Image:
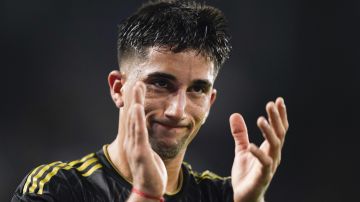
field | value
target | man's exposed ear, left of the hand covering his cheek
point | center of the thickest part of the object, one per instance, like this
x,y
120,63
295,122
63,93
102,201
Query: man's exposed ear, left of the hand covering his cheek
x,y
116,81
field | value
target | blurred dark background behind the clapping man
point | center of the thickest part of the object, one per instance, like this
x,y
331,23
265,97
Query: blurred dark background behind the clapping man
x,y
55,105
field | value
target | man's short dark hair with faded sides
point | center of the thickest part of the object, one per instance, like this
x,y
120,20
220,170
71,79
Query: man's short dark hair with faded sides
x,y
177,26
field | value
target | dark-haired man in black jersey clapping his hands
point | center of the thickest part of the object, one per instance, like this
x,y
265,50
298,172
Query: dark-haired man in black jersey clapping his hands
x,y
169,55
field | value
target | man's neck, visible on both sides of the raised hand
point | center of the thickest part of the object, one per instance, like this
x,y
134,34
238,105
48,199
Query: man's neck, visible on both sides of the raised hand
x,y
173,166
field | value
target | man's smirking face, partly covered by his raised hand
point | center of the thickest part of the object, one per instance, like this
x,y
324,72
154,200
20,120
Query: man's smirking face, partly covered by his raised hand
x,y
179,94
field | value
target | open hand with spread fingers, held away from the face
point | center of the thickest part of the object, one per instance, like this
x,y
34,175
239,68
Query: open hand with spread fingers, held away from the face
x,y
254,167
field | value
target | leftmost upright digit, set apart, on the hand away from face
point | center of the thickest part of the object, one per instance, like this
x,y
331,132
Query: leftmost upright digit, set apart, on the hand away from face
x,y
239,132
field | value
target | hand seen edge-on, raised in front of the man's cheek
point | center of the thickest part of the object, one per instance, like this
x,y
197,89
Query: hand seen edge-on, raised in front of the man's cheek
x,y
147,169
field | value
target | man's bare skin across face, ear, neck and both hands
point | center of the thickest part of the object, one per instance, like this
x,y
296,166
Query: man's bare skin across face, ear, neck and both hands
x,y
160,115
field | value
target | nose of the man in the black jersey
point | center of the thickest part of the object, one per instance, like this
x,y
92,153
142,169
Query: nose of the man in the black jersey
x,y
176,106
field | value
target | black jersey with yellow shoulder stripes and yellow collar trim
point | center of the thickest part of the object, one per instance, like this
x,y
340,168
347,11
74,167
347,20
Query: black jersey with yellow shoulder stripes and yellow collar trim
x,y
94,178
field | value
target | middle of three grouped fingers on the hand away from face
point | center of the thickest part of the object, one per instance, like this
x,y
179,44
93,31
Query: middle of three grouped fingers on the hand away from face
x,y
275,120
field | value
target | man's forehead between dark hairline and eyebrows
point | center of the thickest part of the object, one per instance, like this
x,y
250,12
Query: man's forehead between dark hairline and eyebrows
x,y
184,66
